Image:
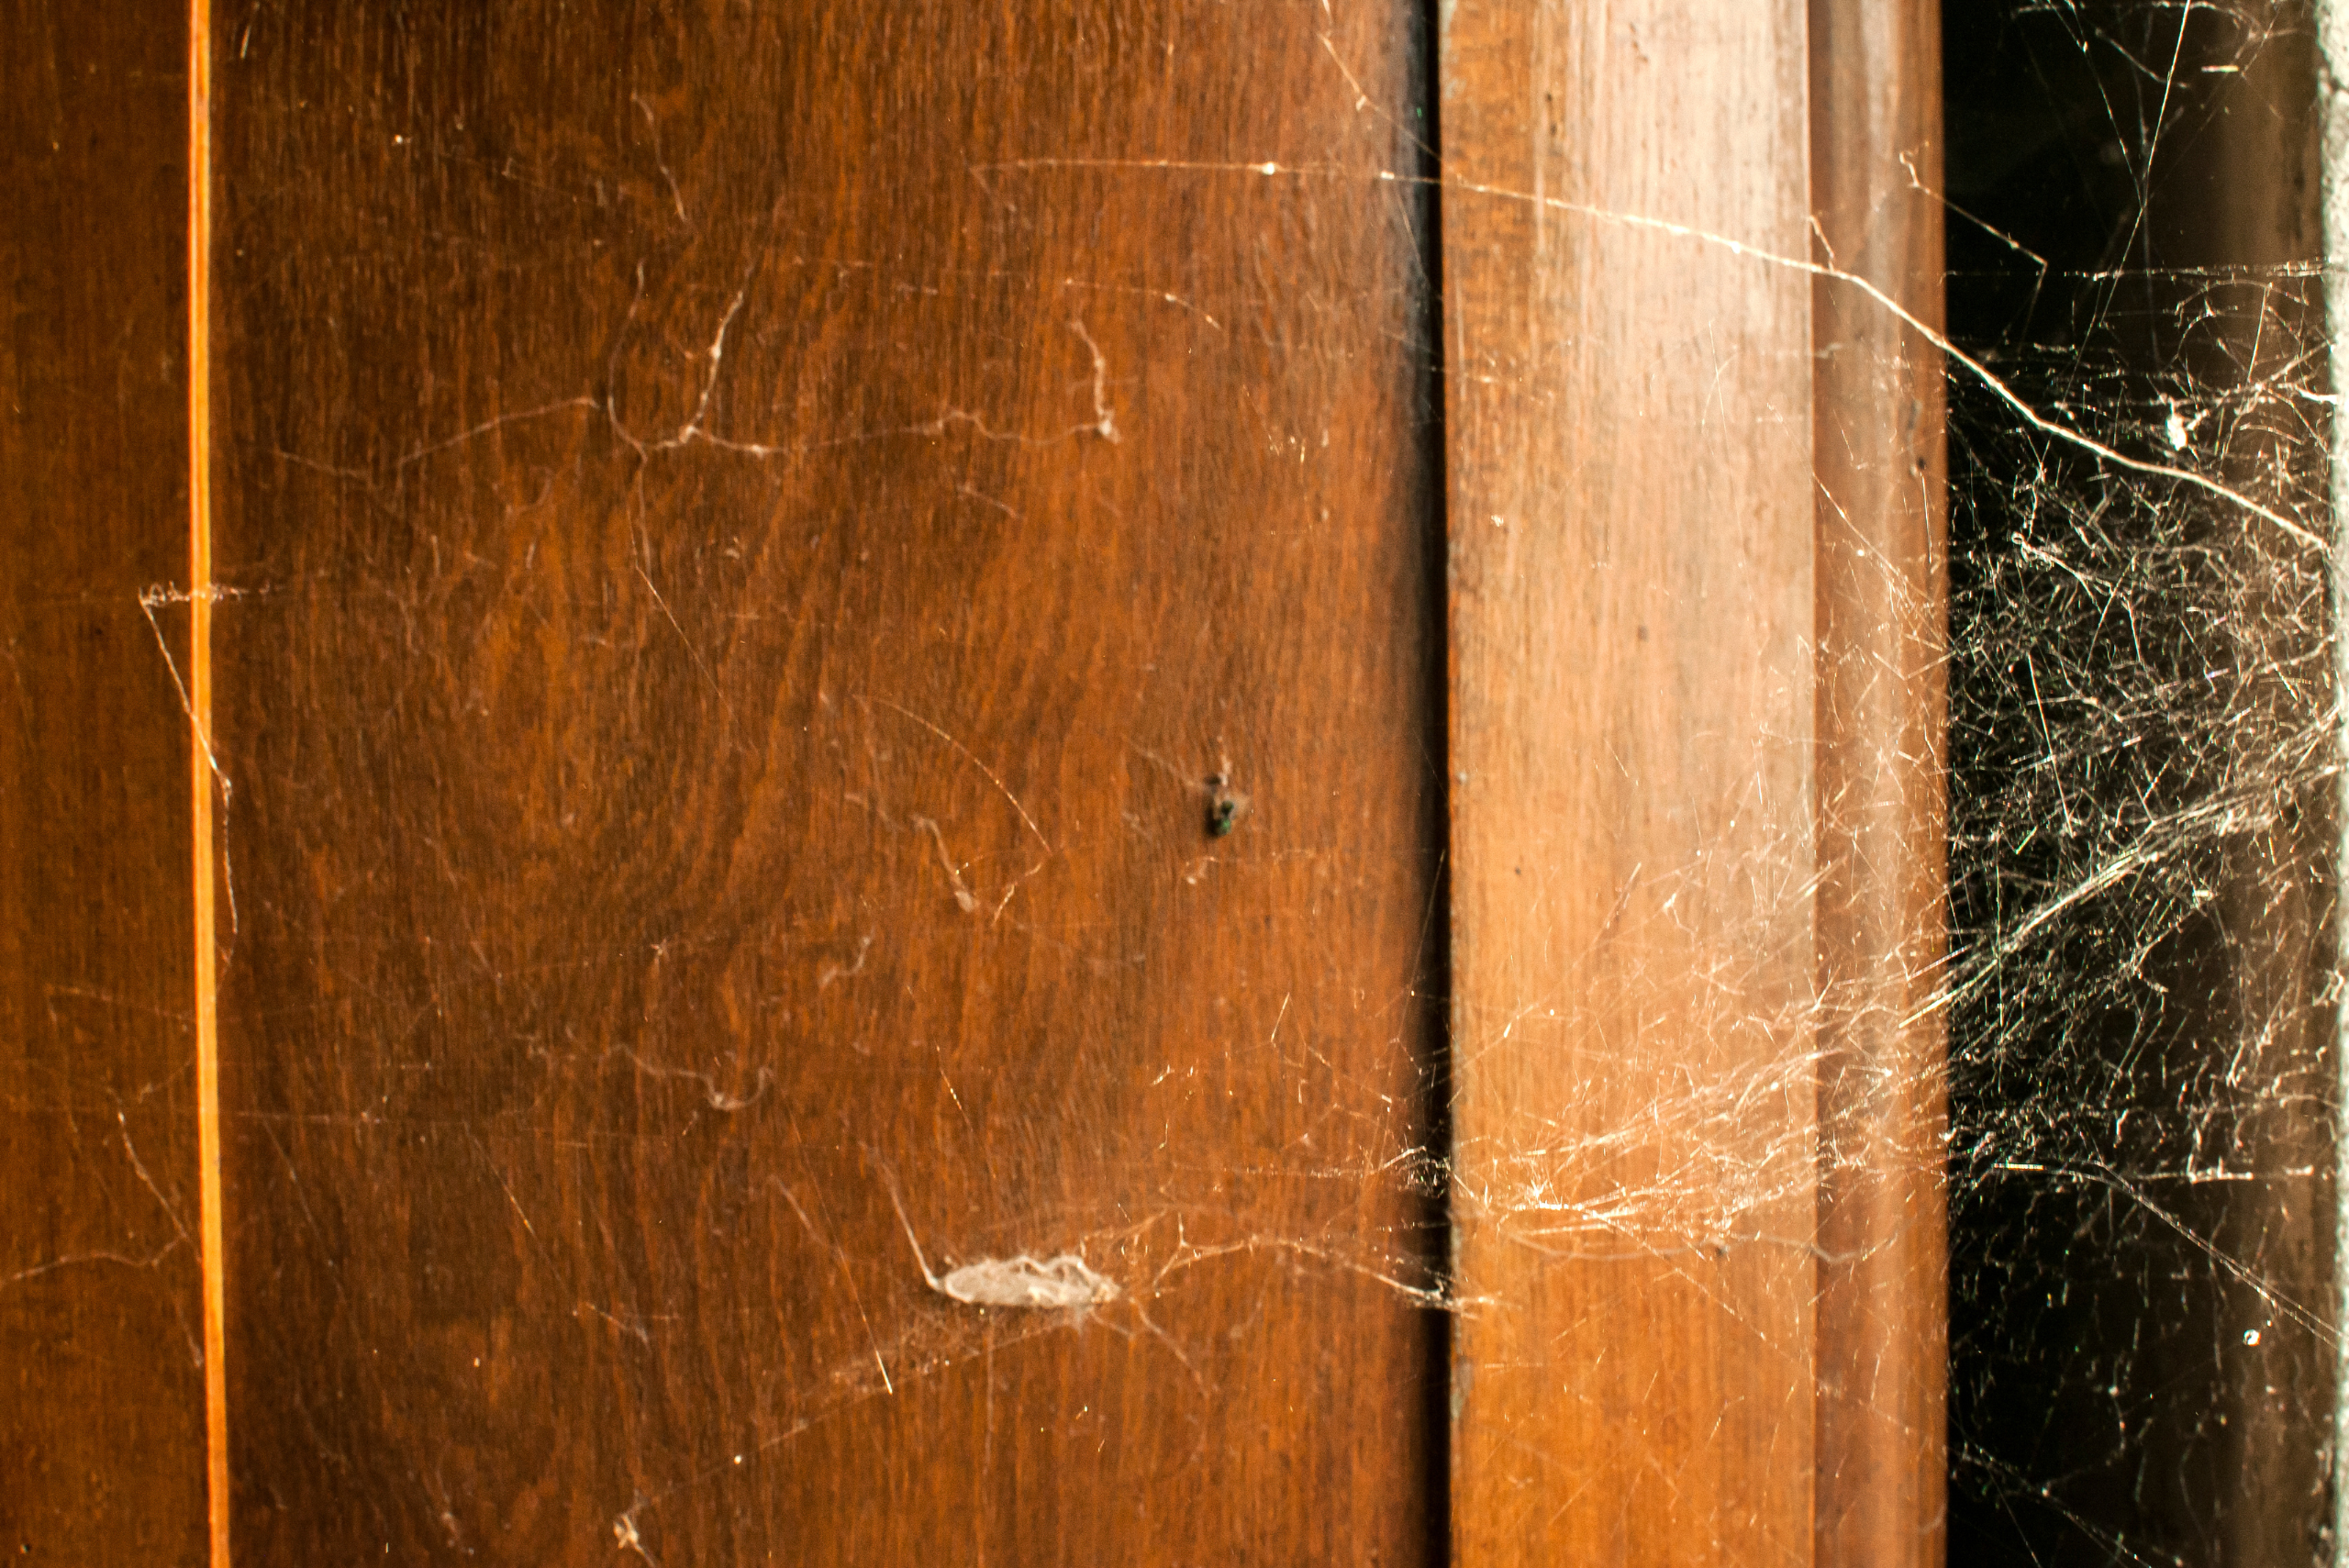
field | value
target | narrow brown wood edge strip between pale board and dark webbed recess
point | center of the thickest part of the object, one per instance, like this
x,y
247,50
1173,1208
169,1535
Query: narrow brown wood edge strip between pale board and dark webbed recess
x,y
1883,802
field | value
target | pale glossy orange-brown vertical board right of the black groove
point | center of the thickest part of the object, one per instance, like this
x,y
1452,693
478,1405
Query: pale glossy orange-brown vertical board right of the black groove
x,y
1631,536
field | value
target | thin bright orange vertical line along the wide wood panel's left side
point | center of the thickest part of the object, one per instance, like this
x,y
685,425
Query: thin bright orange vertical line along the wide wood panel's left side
x,y
201,773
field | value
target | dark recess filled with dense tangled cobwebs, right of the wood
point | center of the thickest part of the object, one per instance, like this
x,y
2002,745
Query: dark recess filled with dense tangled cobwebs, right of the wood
x,y
2146,755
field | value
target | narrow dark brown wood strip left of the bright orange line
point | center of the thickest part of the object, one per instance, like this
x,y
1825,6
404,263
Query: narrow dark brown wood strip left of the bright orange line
x,y
102,1395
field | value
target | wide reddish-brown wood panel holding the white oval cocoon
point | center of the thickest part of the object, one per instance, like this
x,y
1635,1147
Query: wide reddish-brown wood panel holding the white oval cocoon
x,y
755,553
